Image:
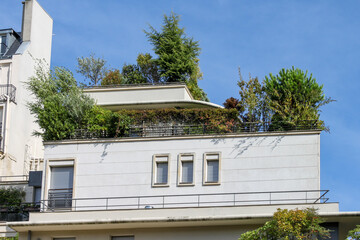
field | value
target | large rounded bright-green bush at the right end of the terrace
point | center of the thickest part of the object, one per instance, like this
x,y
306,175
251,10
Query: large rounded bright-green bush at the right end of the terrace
x,y
294,97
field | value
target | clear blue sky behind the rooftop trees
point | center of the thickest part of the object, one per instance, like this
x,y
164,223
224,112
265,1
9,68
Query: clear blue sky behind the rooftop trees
x,y
261,37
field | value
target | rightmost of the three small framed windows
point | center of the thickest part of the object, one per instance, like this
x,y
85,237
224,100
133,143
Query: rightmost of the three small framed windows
x,y
211,168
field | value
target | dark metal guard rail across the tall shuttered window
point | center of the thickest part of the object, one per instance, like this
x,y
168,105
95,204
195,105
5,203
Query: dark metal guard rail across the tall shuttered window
x,y
60,198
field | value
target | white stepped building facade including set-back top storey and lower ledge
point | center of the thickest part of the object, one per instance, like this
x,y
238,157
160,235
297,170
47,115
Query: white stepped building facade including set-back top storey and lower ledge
x,y
173,185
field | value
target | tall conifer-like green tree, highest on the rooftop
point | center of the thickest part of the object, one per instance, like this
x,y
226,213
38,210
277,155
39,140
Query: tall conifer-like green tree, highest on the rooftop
x,y
177,55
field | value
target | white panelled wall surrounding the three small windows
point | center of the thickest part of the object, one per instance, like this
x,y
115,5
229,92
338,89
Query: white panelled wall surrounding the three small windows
x,y
249,163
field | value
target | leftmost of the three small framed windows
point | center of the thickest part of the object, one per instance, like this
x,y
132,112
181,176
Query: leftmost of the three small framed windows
x,y
160,170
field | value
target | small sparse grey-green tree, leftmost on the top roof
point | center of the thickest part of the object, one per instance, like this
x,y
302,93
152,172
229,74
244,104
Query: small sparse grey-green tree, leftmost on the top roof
x,y
92,68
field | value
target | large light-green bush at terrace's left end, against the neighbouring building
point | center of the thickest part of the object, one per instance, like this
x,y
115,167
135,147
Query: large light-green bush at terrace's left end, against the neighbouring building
x,y
59,105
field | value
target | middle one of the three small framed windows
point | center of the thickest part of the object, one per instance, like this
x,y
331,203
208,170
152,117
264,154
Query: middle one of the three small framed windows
x,y
186,169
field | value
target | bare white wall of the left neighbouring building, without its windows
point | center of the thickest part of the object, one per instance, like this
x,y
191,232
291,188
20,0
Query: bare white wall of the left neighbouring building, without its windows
x,y
20,145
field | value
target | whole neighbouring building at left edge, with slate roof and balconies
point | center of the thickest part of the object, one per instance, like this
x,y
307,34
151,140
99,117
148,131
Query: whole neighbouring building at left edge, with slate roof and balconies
x,y
20,151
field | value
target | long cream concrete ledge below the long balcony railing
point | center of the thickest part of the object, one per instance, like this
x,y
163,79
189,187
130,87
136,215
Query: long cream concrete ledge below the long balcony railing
x,y
150,218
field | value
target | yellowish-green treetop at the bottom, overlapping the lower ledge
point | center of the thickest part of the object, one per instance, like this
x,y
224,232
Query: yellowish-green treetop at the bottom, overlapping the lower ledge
x,y
290,225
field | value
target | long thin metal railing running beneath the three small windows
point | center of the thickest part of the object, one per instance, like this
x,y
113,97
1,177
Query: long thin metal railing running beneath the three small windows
x,y
185,201
